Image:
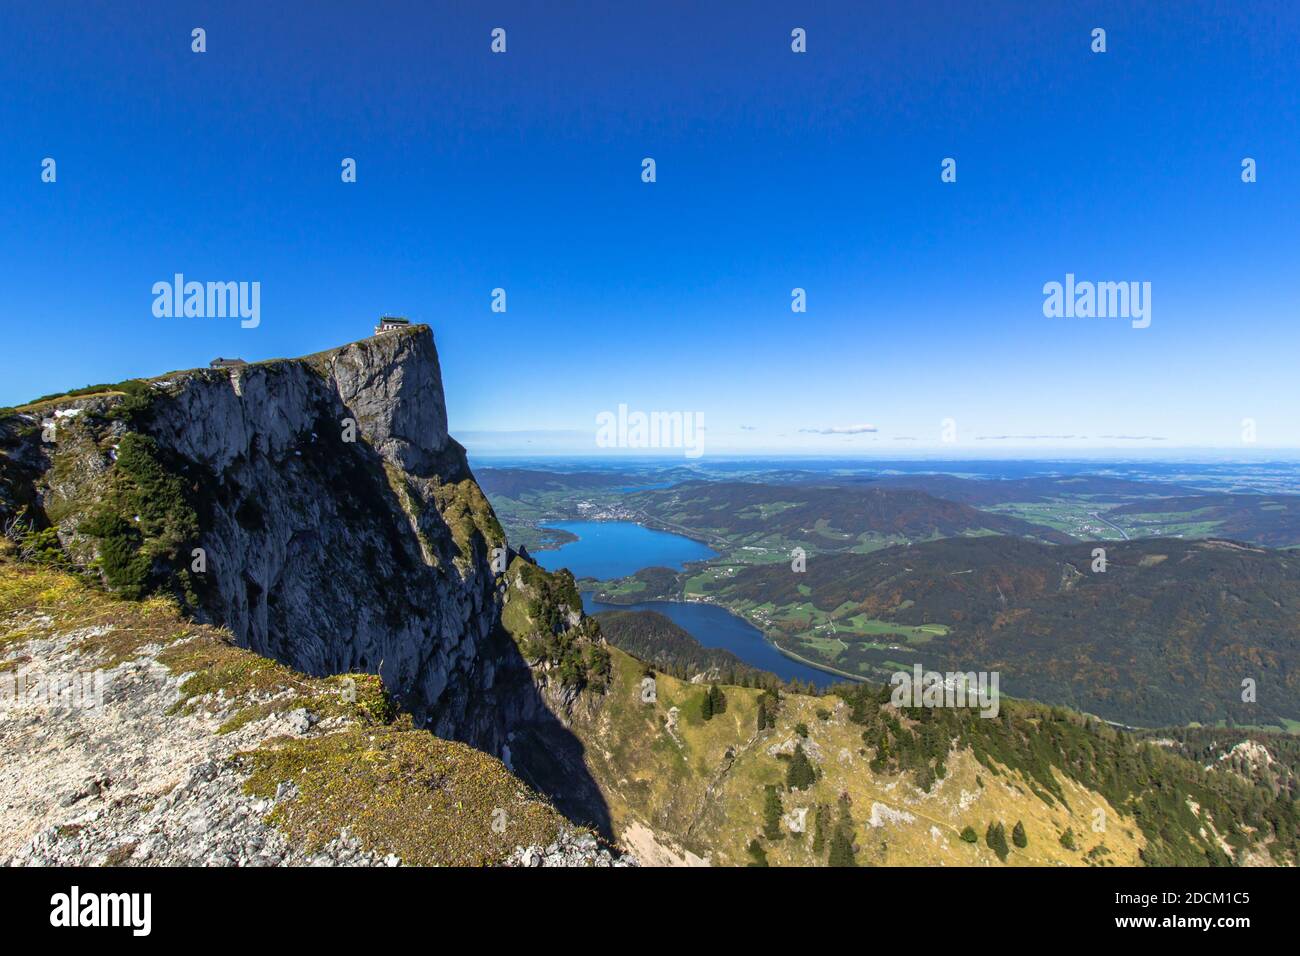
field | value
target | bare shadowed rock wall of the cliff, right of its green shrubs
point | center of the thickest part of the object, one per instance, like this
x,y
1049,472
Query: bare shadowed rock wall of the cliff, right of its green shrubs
x,y
346,530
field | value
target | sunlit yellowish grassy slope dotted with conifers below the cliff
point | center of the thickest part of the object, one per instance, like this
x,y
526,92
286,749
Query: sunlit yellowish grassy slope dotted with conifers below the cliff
x,y
692,795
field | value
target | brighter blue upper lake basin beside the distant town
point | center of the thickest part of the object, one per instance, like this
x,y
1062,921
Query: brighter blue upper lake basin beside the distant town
x,y
617,550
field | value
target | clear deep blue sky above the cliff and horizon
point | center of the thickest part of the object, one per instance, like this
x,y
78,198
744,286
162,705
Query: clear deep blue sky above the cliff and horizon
x,y
775,171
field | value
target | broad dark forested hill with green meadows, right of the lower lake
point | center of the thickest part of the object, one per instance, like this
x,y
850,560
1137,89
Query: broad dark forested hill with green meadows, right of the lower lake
x,y
1165,635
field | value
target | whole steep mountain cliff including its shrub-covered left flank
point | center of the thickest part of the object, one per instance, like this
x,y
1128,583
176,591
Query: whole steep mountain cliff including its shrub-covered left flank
x,y
318,508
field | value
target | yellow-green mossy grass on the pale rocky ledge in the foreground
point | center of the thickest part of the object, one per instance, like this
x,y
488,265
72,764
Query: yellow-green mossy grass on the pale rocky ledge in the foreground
x,y
397,789
